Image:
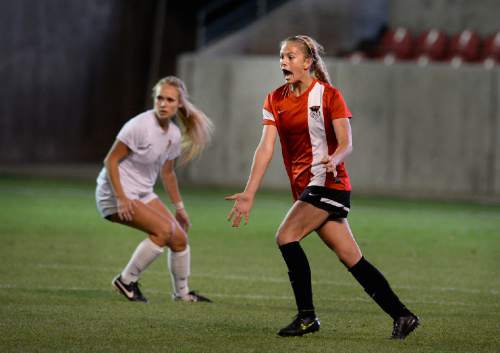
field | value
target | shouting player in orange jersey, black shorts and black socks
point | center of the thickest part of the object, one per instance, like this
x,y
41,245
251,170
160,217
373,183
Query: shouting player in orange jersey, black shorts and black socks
x,y
311,119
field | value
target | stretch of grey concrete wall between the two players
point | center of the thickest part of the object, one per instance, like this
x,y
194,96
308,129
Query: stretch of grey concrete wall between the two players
x,y
231,91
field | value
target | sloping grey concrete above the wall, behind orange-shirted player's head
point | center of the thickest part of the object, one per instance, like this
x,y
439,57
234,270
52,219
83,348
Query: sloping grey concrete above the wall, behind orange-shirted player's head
x,y
337,24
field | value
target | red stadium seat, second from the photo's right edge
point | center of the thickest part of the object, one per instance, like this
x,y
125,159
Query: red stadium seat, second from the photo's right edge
x,y
464,46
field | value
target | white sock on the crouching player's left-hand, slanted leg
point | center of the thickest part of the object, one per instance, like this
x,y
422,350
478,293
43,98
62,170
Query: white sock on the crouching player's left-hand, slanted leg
x,y
145,253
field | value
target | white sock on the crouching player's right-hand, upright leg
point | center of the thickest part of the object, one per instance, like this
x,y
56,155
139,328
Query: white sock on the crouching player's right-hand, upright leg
x,y
179,264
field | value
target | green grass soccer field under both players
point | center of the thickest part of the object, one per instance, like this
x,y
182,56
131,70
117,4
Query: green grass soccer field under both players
x,y
58,258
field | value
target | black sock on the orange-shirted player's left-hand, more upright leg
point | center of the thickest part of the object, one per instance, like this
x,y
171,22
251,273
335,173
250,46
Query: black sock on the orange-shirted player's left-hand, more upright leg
x,y
300,276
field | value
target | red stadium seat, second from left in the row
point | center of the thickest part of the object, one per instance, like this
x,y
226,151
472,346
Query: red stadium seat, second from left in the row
x,y
431,45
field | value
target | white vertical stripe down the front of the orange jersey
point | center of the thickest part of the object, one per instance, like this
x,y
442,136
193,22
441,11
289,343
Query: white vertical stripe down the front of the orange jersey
x,y
317,134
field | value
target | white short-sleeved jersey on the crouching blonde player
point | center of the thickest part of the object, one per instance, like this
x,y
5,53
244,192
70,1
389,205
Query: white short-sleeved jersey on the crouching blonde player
x,y
150,147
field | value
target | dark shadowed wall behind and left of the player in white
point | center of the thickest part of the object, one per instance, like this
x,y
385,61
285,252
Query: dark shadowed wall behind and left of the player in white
x,y
73,72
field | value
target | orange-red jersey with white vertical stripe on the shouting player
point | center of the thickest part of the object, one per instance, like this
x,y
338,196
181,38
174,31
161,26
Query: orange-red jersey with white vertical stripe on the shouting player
x,y
305,128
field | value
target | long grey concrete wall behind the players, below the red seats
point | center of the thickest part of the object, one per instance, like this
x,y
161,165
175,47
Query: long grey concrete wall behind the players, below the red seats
x,y
430,131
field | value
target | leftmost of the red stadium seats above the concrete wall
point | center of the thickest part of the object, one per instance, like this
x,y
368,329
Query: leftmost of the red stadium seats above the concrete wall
x,y
396,44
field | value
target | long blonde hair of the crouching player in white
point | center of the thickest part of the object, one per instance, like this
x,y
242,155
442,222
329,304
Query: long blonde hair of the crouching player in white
x,y
196,127
